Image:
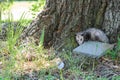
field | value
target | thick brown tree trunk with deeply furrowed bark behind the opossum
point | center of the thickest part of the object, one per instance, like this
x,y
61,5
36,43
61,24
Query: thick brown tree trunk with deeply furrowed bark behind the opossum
x,y
63,18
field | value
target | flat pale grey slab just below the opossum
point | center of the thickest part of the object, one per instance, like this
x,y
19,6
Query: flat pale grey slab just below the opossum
x,y
93,49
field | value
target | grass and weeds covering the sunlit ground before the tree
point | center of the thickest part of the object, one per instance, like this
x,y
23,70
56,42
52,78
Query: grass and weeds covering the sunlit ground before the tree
x,y
27,60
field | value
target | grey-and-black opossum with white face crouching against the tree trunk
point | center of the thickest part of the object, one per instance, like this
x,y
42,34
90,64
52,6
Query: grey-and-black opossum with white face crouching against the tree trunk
x,y
91,34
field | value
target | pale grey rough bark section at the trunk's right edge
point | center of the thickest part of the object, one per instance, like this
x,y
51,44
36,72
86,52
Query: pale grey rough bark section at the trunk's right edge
x,y
111,23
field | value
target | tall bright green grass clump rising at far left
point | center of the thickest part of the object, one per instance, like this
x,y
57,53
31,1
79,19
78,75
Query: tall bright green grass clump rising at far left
x,y
13,33
